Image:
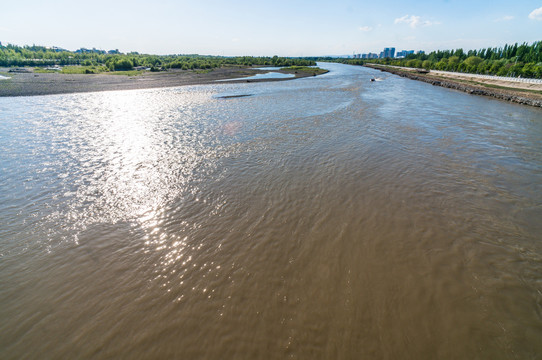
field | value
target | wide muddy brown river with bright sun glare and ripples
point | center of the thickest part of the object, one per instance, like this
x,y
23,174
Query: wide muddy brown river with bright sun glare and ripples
x,y
328,217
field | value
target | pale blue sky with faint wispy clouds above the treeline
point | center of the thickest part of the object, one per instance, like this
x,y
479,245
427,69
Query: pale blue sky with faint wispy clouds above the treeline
x,y
286,28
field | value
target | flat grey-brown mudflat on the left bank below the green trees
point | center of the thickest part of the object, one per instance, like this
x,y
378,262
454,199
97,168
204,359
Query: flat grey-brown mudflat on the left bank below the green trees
x,y
31,84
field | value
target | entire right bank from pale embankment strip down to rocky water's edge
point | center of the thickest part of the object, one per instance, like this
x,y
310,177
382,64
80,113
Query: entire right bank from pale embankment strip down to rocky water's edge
x,y
508,91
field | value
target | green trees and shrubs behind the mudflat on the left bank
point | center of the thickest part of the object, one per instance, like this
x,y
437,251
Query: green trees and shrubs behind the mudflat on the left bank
x,y
97,61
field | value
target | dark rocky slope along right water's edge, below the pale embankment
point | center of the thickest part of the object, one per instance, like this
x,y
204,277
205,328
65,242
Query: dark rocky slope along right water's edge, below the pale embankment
x,y
501,94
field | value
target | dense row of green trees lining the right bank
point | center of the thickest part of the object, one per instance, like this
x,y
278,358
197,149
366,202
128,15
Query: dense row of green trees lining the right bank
x,y
515,60
